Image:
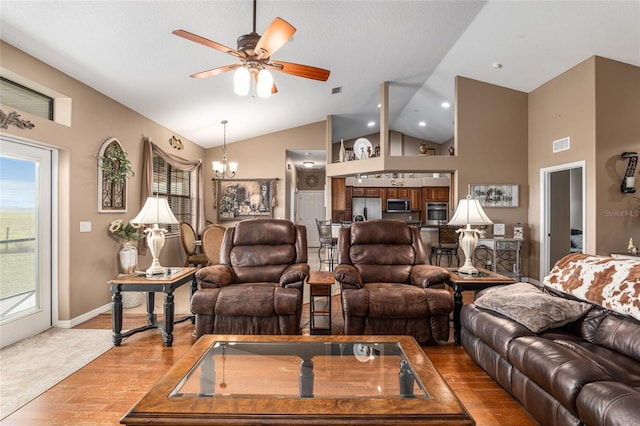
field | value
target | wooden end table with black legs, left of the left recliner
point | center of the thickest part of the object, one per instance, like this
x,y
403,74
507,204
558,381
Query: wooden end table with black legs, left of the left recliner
x,y
158,283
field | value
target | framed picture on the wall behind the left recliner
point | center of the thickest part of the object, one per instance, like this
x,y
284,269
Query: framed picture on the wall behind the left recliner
x,y
238,199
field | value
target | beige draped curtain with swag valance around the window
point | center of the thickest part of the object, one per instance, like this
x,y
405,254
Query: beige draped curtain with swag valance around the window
x,y
178,163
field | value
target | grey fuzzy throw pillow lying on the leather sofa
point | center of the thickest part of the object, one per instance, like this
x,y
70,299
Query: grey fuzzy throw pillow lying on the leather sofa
x,y
531,307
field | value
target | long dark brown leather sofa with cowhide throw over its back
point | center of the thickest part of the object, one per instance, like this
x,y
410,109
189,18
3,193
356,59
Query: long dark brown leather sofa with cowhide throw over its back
x,y
584,372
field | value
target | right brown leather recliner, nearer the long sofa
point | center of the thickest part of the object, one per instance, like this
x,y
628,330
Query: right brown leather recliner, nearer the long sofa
x,y
387,289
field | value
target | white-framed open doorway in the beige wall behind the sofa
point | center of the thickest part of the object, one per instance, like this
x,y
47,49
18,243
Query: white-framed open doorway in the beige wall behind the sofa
x,y
562,213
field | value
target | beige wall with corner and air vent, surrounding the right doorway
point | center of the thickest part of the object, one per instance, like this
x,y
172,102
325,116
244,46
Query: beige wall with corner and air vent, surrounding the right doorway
x,y
597,104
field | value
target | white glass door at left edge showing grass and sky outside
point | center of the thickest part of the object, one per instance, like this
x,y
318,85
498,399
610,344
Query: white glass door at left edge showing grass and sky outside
x,y
25,240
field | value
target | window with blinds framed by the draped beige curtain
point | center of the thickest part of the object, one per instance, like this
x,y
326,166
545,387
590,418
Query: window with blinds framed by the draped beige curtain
x,y
175,185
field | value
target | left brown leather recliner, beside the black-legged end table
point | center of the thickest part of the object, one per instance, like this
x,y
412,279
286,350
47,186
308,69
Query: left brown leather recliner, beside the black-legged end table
x,y
258,287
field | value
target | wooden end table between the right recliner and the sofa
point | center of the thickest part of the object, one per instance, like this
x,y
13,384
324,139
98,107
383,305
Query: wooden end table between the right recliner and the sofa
x,y
462,282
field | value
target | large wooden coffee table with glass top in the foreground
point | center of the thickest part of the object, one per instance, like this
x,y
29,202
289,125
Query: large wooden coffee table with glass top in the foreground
x,y
293,380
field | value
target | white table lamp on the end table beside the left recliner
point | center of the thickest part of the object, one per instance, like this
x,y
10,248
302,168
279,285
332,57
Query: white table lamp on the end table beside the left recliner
x,y
156,210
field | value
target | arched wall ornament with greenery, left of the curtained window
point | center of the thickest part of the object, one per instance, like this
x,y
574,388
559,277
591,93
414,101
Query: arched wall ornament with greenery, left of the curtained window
x,y
114,169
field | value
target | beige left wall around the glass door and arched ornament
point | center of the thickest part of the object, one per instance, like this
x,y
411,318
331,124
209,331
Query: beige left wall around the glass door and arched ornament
x,y
89,260
